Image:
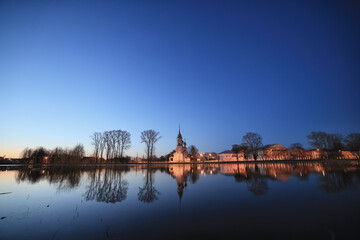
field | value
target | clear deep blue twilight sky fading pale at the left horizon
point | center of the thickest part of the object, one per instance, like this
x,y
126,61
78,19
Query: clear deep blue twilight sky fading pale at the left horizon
x,y
219,68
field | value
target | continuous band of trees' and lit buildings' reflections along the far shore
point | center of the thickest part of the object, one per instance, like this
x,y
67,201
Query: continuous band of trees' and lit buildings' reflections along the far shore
x,y
108,184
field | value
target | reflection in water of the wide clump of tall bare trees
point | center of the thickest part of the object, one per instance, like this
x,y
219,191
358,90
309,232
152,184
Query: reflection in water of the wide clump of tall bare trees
x,y
107,186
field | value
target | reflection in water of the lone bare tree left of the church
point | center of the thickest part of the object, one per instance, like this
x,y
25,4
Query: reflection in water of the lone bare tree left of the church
x,y
148,193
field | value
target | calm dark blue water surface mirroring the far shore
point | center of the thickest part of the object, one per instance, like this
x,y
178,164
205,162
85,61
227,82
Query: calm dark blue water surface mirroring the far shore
x,y
213,201
